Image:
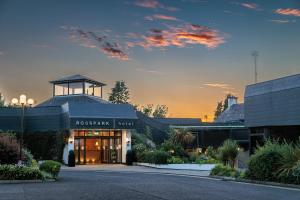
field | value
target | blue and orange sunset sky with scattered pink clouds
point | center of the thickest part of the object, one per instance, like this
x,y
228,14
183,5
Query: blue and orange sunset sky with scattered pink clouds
x,y
186,54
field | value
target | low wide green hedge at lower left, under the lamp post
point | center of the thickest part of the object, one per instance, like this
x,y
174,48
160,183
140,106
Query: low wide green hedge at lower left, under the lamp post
x,y
15,172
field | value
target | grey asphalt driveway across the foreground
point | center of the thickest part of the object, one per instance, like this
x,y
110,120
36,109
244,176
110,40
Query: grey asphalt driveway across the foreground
x,y
129,183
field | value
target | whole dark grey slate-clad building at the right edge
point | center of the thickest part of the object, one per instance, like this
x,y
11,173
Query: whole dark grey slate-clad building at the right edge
x,y
272,109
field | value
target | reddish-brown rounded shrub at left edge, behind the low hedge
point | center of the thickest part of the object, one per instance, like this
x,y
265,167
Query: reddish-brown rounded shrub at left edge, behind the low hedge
x,y
9,149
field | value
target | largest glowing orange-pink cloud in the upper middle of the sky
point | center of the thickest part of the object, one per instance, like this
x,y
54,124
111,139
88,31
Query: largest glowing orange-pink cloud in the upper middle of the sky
x,y
183,36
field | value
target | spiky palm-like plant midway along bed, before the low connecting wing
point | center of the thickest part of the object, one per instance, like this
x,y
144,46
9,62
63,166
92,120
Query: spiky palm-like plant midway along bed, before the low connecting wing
x,y
182,136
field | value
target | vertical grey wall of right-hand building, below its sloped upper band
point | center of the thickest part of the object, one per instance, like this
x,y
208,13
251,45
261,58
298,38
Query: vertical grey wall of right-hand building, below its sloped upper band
x,y
275,108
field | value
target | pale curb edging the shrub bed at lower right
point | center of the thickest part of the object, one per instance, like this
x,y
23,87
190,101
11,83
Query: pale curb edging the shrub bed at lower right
x,y
223,178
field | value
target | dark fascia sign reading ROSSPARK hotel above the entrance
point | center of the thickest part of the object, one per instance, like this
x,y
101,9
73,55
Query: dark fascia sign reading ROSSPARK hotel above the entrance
x,y
94,123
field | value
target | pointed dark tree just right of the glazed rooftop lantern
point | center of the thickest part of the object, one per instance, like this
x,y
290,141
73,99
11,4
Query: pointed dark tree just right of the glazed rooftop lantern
x,y
120,93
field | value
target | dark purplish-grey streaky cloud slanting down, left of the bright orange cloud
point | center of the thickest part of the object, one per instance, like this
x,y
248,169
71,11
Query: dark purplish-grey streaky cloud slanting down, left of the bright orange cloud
x,y
90,39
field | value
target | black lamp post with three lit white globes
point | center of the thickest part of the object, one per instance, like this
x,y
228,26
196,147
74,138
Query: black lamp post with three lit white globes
x,y
23,102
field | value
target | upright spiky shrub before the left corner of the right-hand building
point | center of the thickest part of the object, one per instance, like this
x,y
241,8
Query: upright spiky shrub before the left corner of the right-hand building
x,y
228,152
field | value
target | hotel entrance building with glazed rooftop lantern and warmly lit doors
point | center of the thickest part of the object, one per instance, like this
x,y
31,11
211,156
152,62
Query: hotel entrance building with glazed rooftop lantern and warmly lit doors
x,y
99,131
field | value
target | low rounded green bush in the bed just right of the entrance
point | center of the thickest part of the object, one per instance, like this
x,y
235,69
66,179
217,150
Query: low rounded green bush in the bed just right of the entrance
x,y
156,157
